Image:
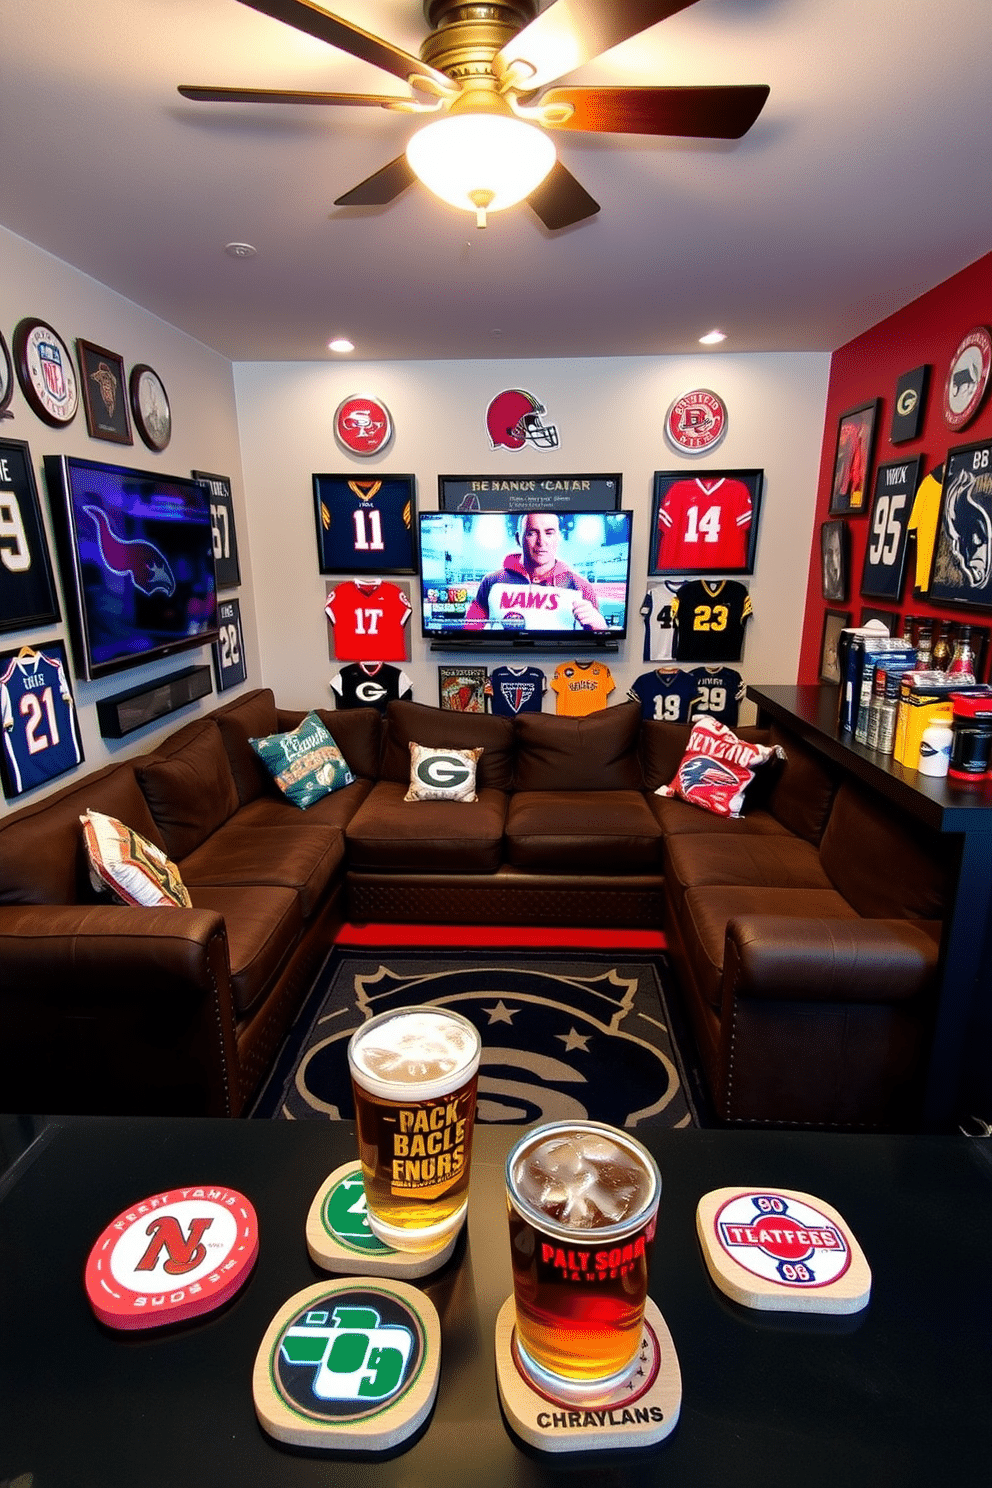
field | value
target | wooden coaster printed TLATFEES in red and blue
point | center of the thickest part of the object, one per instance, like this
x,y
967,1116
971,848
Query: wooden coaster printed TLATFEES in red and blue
x,y
782,1252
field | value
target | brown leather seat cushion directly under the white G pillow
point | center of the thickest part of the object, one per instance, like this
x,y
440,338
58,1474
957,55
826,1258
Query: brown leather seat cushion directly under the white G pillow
x,y
442,837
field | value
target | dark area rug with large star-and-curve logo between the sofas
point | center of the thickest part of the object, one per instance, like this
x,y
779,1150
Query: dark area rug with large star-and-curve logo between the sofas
x,y
585,1036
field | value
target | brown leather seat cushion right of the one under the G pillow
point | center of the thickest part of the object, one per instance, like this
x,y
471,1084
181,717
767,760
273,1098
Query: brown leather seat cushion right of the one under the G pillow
x,y
582,833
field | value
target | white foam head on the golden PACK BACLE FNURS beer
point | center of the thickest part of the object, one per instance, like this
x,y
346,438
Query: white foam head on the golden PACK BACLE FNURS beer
x,y
425,1051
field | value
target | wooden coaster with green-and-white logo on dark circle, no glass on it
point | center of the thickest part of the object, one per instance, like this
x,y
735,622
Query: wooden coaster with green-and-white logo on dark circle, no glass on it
x,y
349,1365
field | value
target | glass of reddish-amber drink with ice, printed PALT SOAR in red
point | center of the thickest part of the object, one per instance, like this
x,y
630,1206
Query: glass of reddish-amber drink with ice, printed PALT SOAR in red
x,y
584,1206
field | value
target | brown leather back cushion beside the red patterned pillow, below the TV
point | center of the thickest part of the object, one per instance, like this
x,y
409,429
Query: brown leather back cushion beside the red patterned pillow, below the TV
x,y
599,752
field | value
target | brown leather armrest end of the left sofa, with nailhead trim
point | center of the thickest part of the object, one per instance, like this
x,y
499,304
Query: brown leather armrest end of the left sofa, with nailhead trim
x,y
114,1010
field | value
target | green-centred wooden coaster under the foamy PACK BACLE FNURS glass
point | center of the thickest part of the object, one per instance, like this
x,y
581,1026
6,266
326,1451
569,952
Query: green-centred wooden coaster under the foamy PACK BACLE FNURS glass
x,y
340,1239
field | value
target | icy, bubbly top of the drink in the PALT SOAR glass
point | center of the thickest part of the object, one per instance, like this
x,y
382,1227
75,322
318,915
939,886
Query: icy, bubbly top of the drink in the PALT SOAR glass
x,y
581,1176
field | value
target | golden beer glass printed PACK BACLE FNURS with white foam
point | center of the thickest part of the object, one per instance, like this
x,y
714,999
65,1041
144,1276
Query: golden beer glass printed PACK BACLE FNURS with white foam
x,y
414,1078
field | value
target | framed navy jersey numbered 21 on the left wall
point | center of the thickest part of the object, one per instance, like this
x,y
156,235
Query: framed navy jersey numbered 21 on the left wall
x,y
41,737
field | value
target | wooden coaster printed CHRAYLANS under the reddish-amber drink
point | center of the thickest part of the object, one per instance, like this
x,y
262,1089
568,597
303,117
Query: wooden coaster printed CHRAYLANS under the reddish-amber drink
x,y
637,1414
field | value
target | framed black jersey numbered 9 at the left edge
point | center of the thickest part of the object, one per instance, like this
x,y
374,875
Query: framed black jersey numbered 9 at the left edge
x,y
28,589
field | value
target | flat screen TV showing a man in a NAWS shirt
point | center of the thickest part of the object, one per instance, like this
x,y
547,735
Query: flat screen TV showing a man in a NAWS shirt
x,y
526,578
